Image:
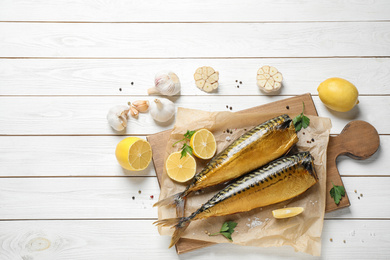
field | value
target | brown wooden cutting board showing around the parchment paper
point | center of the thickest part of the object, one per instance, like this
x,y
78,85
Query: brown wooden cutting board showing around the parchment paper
x,y
346,143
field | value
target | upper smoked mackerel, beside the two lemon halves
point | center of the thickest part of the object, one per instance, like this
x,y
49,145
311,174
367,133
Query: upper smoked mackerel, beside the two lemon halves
x,y
258,146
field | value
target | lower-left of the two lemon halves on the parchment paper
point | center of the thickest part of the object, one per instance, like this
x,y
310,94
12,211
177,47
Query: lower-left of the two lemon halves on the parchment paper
x,y
180,169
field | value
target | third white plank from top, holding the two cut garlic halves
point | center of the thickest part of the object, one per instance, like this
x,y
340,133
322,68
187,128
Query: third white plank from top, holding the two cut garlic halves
x,y
107,76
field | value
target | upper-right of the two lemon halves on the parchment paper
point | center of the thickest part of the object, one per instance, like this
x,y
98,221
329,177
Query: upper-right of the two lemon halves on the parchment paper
x,y
203,144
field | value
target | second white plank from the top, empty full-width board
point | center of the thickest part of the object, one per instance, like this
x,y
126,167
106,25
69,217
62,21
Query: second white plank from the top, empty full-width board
x,y
173,40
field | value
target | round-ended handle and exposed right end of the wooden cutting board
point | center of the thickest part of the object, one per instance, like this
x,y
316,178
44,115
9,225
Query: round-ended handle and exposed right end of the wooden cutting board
x,y
358,140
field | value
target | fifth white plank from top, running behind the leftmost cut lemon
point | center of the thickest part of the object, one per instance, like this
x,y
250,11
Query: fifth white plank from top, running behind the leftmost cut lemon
x,y
94,156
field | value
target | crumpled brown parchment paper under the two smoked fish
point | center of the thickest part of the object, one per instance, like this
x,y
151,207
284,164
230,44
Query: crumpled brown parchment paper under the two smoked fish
x,y
256,227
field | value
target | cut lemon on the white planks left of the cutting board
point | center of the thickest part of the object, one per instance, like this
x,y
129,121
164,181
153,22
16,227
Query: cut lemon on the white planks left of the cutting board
x,y
133,153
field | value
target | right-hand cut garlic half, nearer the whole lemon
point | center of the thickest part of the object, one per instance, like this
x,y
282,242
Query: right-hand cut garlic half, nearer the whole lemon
x,y
269,79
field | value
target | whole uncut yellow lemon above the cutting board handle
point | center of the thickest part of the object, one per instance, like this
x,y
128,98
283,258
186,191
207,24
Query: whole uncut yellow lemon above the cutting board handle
x,y
338,94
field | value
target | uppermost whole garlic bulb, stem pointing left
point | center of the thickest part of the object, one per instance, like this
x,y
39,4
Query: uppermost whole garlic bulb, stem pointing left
x,y
166,83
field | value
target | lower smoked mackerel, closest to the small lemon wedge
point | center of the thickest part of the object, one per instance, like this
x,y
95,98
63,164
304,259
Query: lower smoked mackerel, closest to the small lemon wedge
x,y
275,182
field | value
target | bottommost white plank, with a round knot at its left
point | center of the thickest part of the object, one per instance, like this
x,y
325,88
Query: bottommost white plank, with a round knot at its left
x,y
89,239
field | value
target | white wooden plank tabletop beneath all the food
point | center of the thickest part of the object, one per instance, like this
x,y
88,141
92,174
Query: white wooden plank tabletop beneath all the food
x,y
63,63
